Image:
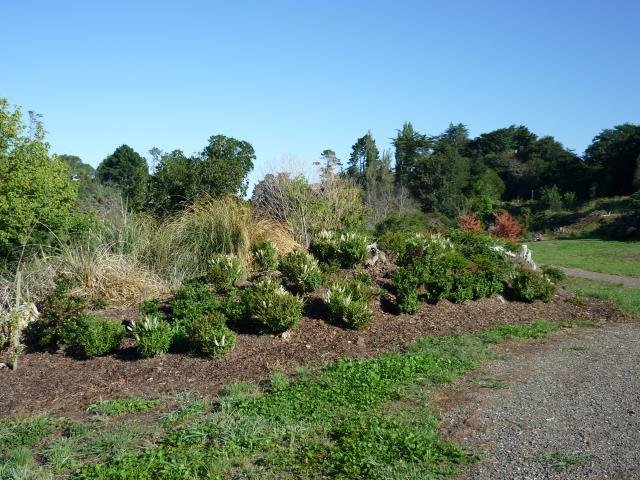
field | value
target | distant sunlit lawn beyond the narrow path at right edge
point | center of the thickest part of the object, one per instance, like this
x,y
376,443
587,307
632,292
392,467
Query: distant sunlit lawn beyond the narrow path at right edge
x,y
622,258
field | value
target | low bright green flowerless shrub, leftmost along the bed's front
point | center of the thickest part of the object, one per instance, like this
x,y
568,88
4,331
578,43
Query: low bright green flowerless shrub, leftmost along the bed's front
x,y
98,336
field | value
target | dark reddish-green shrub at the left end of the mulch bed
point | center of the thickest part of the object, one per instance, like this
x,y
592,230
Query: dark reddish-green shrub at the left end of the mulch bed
x,y
58,307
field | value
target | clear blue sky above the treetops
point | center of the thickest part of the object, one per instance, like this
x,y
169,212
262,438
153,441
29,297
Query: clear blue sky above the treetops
x,y
296,77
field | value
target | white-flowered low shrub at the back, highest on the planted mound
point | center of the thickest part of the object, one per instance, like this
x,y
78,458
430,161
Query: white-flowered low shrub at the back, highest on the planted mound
x,y
347,250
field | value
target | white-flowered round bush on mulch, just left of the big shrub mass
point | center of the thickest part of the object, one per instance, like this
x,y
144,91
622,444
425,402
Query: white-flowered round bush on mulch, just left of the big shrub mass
x,y
348,303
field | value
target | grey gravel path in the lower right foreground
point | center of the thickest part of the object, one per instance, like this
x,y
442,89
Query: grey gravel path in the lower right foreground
x,y
565,407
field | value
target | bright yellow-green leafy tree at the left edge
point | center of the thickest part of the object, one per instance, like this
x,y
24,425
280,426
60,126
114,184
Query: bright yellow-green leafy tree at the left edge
x,y
36,191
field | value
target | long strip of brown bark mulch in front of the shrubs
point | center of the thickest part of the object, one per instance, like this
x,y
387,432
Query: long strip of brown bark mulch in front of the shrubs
x,y
64,385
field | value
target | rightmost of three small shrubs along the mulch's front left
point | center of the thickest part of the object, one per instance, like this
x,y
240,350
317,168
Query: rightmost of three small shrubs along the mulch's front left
x,y
210,336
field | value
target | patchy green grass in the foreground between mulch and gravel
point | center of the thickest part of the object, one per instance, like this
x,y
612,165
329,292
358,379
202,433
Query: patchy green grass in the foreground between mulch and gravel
x,y
355,419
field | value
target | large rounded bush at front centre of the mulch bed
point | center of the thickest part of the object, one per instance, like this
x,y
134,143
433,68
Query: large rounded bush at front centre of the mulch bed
x,y
273,308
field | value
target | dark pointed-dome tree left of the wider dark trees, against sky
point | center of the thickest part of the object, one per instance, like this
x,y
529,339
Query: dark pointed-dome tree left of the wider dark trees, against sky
x,y
127,170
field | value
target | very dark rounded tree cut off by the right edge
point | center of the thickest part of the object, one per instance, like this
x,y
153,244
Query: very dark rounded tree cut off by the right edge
x,y
614,158
